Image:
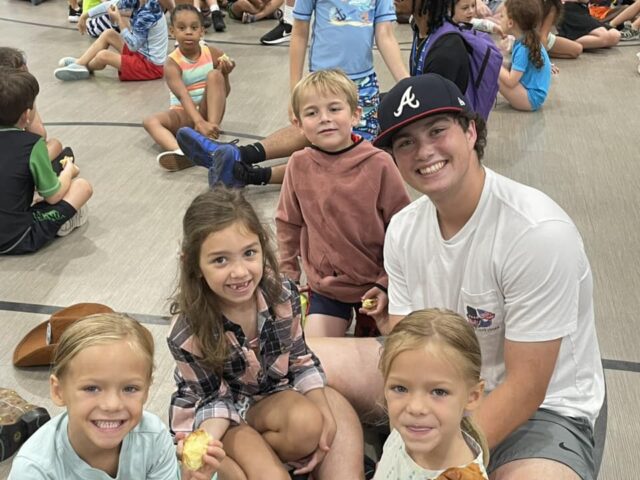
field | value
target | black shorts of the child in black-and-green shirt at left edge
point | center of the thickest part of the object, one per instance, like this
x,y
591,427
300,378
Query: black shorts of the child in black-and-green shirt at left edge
x,y
46,220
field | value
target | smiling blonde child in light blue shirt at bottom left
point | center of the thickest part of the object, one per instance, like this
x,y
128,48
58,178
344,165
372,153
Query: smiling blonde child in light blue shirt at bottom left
x,y
102,372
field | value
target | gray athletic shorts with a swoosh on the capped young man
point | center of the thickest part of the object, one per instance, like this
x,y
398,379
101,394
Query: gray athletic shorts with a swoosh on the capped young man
x,y
552,436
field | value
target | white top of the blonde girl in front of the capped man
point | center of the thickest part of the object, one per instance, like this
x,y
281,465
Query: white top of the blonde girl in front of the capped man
x,y
396,464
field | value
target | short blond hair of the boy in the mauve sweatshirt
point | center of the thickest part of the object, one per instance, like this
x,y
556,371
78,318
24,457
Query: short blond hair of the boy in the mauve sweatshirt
x,y
325,81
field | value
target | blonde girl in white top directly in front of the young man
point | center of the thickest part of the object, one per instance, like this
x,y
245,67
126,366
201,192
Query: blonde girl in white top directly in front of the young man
x,y
431,369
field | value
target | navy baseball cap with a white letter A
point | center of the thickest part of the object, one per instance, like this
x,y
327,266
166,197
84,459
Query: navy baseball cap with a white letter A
x,y
414,98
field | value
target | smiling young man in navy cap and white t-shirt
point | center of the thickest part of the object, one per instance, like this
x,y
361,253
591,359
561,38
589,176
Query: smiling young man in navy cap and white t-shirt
x,y
509,259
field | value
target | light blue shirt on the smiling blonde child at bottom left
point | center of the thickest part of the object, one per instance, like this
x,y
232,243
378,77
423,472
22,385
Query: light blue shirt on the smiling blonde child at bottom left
x,y
147,453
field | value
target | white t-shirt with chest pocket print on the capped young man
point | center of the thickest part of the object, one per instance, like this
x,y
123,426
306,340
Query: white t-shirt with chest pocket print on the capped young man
x,y
516,270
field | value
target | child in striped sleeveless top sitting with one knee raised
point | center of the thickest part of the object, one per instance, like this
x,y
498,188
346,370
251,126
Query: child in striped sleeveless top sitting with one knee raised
x,y
198,77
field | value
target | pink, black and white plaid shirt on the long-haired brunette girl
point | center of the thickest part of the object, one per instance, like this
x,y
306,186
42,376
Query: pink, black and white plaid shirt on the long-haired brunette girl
x,y
284,362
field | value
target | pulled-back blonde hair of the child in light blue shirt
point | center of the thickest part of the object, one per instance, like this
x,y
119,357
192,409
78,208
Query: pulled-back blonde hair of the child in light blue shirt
x,y
101,329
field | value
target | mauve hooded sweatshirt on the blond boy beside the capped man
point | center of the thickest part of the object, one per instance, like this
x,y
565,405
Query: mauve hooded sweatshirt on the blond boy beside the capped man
x,y
333,212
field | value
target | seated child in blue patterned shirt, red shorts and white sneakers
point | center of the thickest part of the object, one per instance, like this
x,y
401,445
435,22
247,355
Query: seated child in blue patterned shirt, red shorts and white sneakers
x,y
141,44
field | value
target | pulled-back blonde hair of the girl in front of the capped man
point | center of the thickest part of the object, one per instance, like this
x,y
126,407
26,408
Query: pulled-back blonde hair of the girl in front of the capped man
x,y
445,328
